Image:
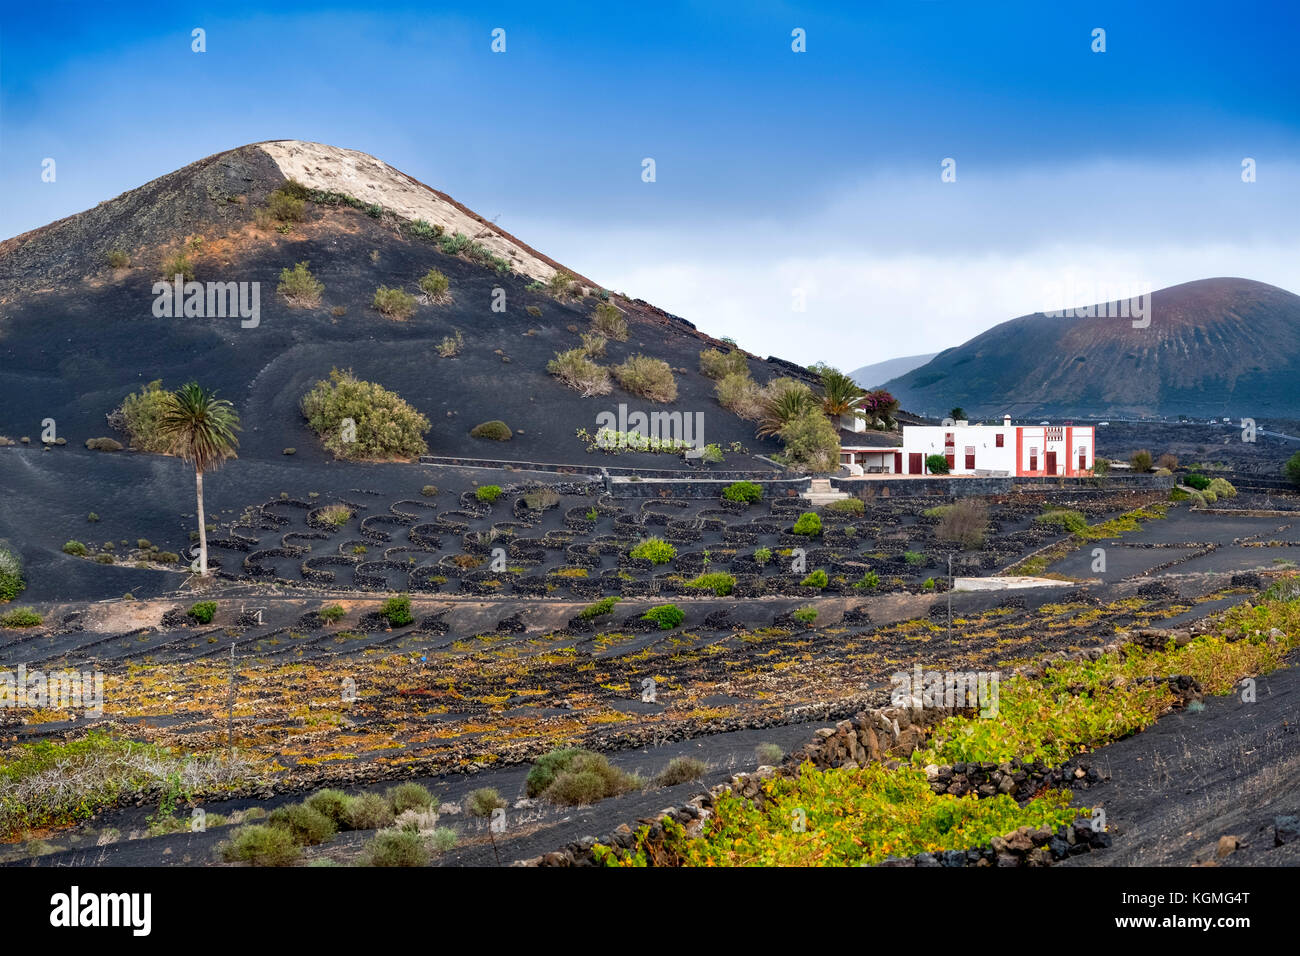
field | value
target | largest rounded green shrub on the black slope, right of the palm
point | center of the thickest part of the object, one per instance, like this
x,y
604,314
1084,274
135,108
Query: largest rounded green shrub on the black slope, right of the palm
x,y
385,426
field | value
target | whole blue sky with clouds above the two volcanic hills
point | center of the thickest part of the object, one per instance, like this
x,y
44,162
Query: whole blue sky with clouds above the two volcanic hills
x,y
782,178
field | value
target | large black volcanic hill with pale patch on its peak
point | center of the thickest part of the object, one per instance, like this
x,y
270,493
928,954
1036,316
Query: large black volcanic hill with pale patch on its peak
x,y
77,335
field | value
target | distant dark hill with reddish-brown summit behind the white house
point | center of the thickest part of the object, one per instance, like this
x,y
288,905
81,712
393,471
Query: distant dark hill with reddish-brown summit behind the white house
x,y
1224,347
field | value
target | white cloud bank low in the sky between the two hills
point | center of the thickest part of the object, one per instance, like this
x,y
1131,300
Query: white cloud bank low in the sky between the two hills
x,y
896,269
